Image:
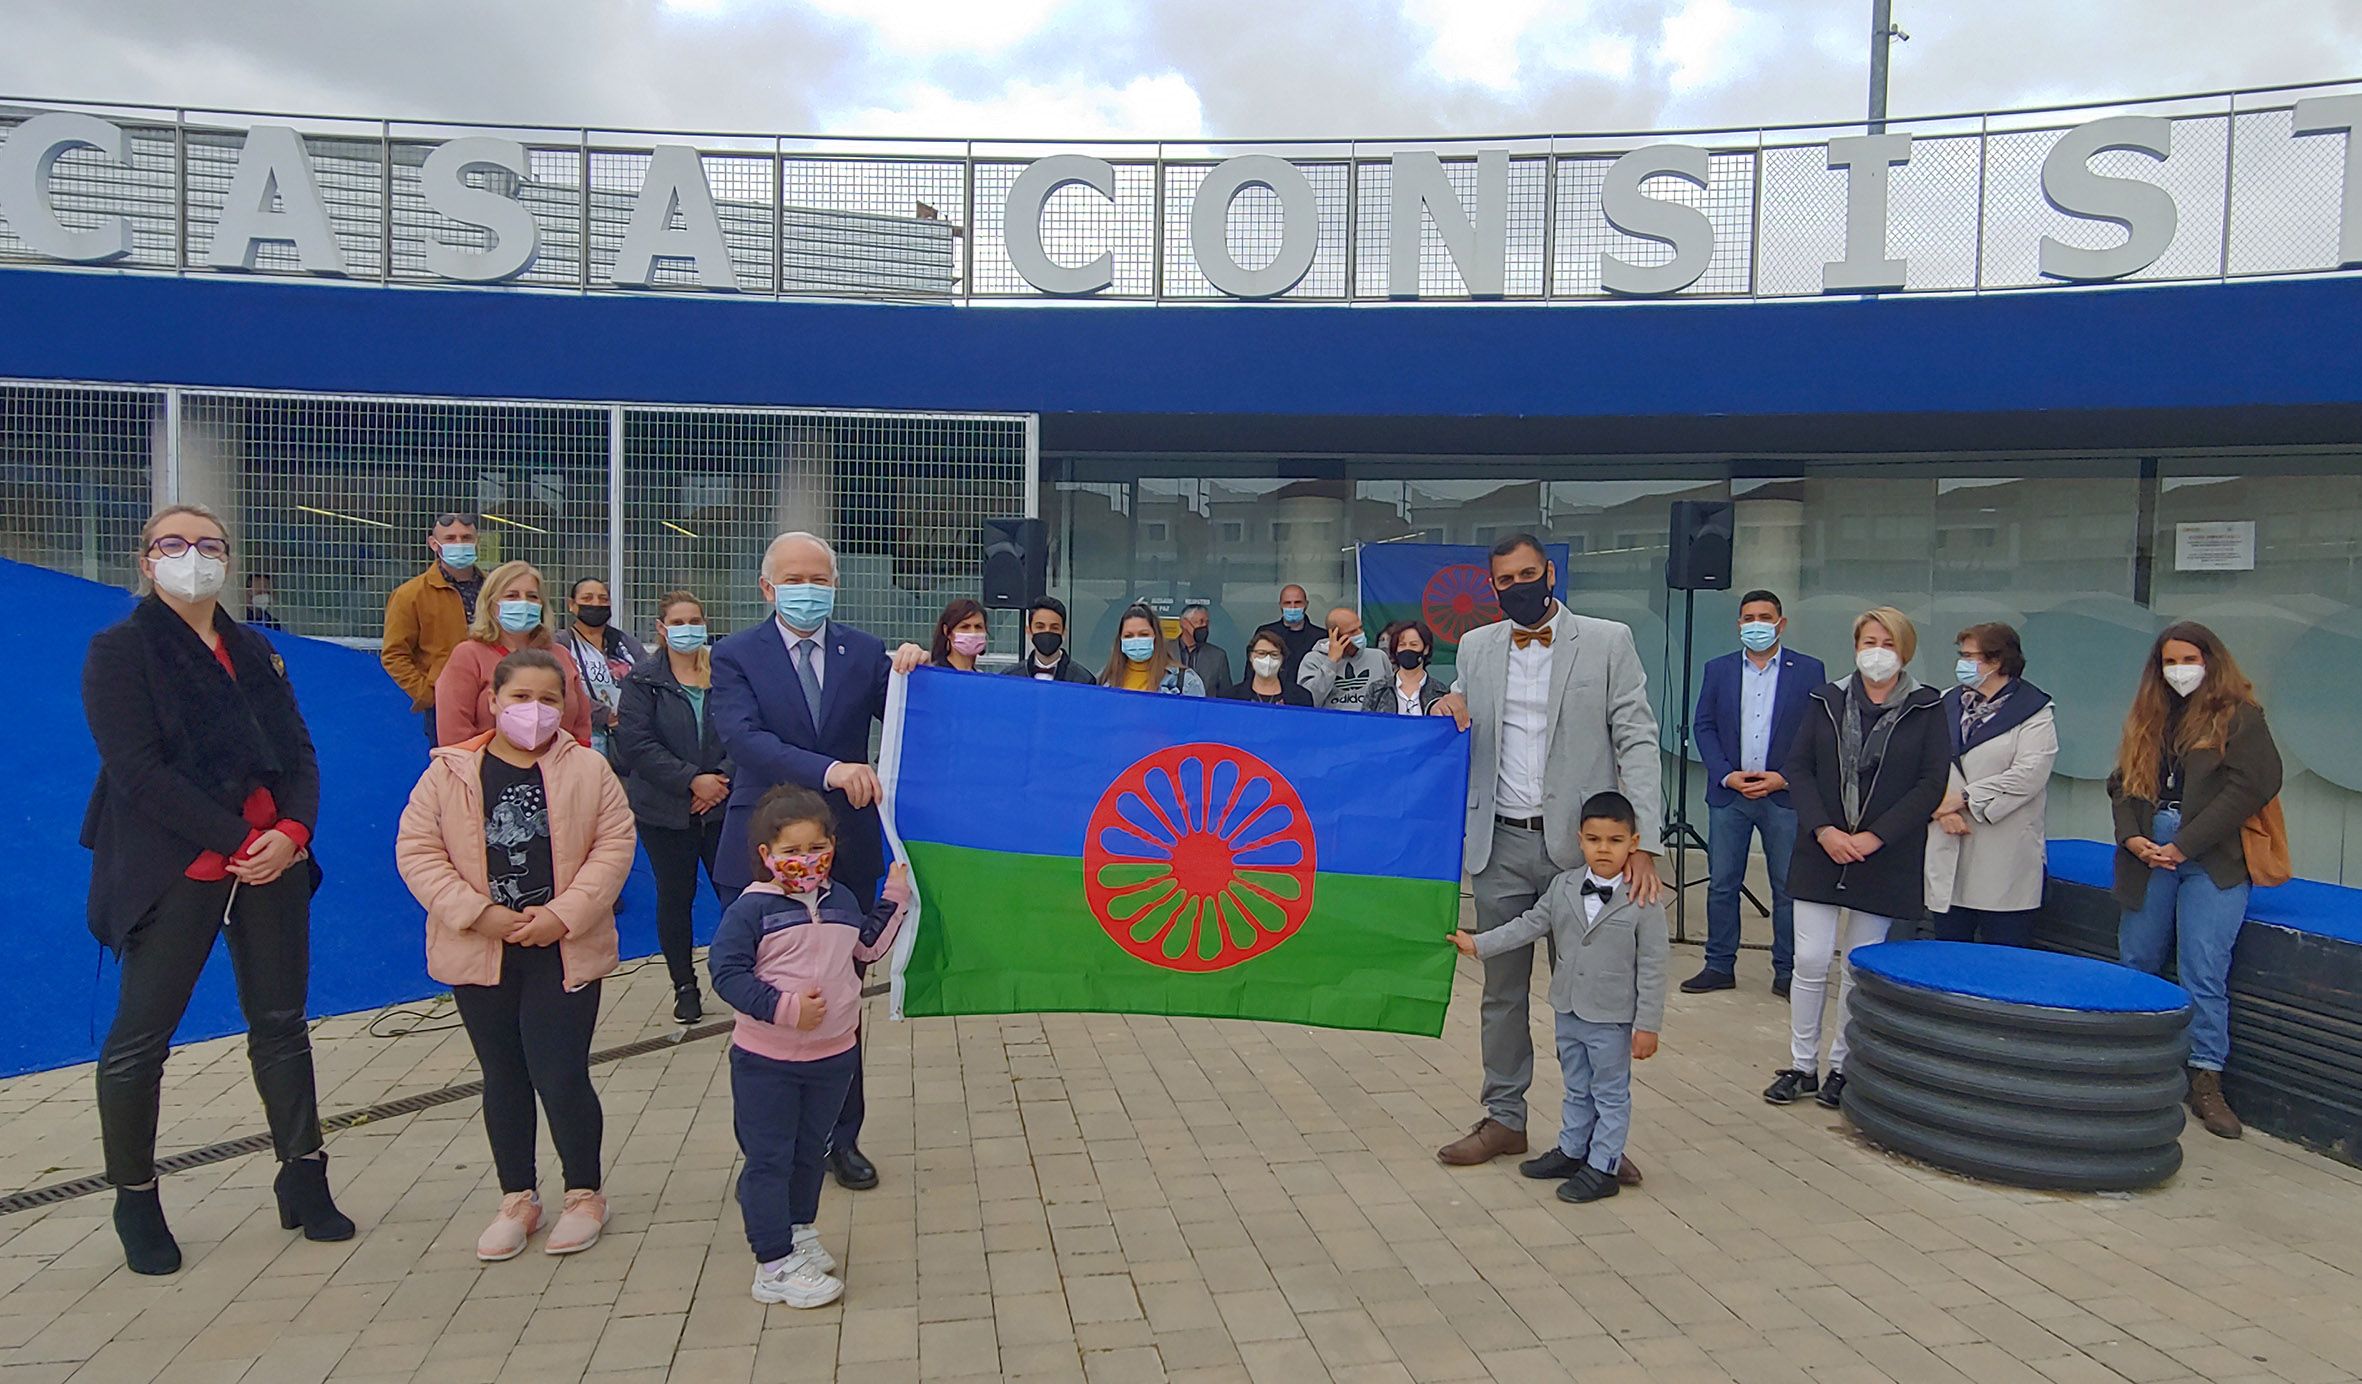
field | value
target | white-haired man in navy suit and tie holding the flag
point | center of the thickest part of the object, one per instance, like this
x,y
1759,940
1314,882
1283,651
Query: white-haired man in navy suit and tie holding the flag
x,y
792,705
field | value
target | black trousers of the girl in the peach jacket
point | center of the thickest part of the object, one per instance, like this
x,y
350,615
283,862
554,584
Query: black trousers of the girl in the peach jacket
x,y
535,1040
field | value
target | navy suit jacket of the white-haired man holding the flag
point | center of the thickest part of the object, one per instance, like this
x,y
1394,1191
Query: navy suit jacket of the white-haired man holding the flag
x,y
774,738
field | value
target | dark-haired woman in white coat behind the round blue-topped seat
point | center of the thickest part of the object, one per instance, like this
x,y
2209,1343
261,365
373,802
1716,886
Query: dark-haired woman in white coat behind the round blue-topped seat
x,y
1985,847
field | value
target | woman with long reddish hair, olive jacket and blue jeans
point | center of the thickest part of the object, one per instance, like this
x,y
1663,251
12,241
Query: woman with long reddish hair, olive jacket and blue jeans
x,y
2195,764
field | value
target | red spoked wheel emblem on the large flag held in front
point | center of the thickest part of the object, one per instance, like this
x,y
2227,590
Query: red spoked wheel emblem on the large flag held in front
x,y
1199,859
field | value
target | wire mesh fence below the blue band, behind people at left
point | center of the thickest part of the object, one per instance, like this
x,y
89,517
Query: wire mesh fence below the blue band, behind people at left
x,y
332,497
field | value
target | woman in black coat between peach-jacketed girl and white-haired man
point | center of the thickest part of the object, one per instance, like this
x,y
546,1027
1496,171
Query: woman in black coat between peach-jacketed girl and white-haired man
x,y
679,781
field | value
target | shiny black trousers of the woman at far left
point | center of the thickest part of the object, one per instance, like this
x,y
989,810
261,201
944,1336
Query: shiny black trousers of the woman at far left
x,y
270,953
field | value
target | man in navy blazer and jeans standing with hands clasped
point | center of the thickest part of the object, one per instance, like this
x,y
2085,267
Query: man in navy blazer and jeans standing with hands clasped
x,y
1747,719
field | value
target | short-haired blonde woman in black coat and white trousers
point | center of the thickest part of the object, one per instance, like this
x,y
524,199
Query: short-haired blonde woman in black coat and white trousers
x,y
1867,771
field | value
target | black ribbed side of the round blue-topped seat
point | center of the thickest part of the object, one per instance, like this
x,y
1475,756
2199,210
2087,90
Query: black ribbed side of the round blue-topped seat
x,y
2025,1095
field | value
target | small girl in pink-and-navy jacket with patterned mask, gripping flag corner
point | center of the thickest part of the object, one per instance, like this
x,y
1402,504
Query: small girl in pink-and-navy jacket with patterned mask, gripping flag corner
x,y
783,960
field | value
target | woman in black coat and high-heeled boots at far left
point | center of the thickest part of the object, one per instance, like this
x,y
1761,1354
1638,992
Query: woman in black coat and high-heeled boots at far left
x,y
200,828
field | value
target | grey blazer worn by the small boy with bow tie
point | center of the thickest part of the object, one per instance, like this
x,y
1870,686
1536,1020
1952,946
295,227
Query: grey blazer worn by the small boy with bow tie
x,y
1610,970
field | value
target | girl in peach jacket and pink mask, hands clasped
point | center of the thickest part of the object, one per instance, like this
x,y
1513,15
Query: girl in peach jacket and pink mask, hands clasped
x,y
518,844
